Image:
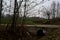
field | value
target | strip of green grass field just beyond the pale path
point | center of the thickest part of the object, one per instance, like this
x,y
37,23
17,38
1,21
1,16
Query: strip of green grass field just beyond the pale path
x,y
32,21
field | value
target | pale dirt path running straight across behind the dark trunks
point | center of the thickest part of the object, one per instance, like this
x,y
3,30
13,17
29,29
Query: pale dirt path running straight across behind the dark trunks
x,y
49,26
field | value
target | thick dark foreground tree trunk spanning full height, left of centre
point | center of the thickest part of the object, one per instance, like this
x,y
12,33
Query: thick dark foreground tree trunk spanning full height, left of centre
x,y
13,26
